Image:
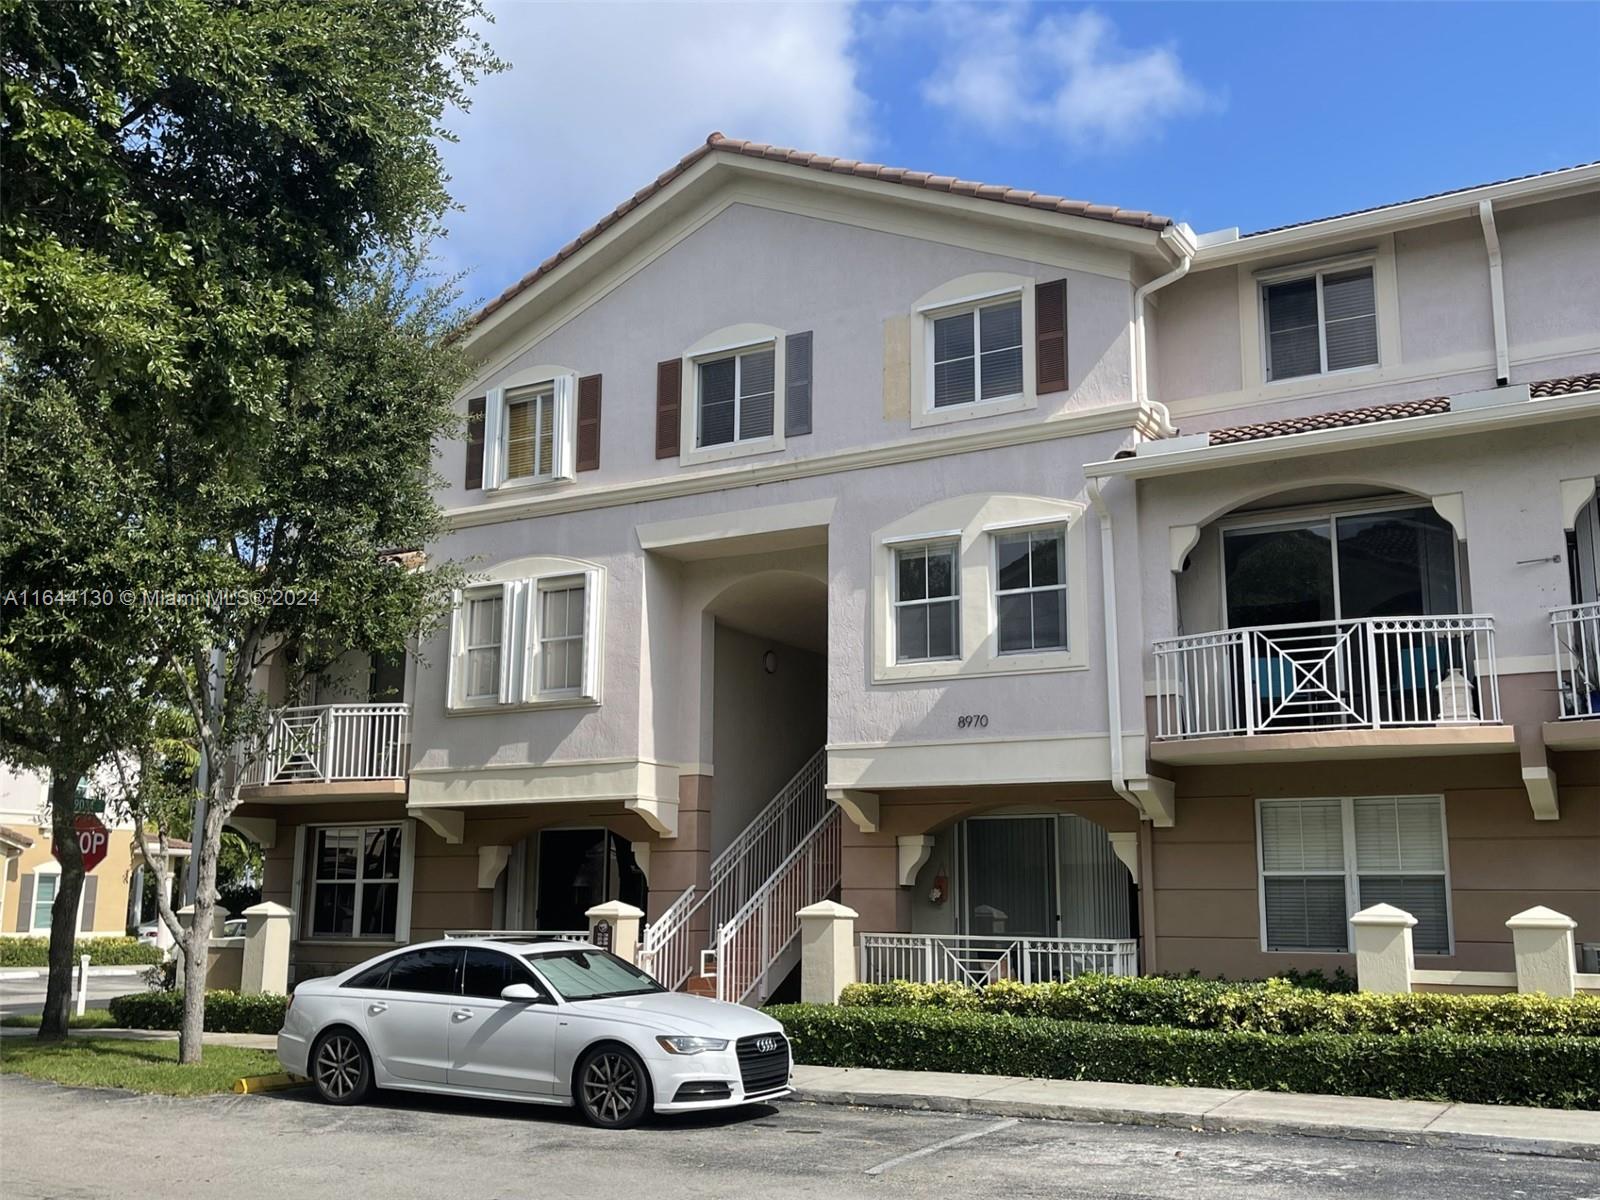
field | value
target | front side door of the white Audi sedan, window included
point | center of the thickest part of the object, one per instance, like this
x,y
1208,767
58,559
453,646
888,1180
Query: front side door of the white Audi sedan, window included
x,y
502,1046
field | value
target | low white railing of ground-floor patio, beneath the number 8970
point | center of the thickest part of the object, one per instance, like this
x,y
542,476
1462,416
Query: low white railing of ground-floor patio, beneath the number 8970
x,y
972,961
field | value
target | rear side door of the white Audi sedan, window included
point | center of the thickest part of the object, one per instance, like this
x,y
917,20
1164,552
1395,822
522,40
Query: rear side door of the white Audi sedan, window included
x,y
409,1025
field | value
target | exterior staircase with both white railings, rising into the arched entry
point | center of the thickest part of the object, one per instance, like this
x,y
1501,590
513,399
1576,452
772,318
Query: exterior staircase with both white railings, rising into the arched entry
x,y
740,935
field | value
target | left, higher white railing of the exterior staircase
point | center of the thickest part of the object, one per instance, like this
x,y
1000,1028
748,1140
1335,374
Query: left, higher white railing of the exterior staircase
x,y
674,942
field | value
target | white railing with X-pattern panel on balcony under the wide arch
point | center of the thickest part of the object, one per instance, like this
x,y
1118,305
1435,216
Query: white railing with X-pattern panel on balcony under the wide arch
x,y
1369,674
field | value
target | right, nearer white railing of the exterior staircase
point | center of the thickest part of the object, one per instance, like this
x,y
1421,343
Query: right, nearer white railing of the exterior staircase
x,y
754,938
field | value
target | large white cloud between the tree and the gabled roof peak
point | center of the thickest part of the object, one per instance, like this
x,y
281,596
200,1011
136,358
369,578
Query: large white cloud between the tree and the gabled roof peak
x,y
601,98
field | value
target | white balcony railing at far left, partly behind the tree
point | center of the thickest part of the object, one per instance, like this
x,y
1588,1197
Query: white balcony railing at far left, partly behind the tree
x,y
329,743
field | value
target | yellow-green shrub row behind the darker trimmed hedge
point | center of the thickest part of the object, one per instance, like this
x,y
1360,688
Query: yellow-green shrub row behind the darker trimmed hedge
x,y
1273,1007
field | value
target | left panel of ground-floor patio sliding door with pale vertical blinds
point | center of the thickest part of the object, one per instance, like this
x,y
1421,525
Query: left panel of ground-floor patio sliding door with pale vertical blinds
x,y
1012,878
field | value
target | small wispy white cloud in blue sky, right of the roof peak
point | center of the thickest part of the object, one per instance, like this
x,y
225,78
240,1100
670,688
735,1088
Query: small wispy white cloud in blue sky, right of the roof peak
x,y
1066,74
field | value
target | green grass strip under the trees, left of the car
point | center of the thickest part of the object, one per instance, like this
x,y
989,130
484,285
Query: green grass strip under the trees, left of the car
x,y
137,1066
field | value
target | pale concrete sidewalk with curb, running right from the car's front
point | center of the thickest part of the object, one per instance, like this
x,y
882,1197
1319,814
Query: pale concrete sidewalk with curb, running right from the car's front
x,y
1474,1127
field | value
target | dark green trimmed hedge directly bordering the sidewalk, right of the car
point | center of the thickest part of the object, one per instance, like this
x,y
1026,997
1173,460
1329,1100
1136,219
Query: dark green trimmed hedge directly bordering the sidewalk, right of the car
x,y
1559,1073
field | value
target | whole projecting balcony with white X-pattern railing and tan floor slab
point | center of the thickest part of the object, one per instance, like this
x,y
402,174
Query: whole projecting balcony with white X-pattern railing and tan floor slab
x,y
1364,687
